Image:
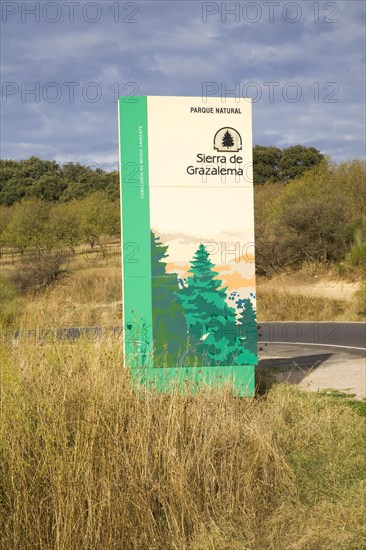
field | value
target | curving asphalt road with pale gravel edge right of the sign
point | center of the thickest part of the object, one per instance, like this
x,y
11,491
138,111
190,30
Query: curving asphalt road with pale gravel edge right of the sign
x,y
314,356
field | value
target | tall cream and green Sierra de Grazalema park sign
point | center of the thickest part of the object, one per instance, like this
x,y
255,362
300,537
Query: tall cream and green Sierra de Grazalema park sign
x,y
188,240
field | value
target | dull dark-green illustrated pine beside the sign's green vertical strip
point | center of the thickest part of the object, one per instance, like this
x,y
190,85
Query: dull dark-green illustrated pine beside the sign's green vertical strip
x,y
169,325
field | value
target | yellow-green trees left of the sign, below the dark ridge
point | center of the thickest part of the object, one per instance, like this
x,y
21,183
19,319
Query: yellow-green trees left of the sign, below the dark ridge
x,y
46,236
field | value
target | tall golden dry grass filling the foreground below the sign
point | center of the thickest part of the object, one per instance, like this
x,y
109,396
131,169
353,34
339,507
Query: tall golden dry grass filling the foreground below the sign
x,y
89,462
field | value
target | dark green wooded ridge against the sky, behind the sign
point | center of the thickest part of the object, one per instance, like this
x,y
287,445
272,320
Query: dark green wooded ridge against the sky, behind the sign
x,y
53,182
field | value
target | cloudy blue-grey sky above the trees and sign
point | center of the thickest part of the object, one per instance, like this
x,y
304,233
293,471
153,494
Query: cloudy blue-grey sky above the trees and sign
x,y
64,63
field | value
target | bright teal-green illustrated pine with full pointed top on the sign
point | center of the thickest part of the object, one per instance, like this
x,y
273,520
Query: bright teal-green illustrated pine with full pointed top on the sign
x,y
210,320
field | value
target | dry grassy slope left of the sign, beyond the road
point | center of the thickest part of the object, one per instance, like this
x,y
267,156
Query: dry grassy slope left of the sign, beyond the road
x,y
88,294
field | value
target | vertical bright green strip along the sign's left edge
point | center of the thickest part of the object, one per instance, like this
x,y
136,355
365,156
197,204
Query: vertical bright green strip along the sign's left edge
x,y
136,250
